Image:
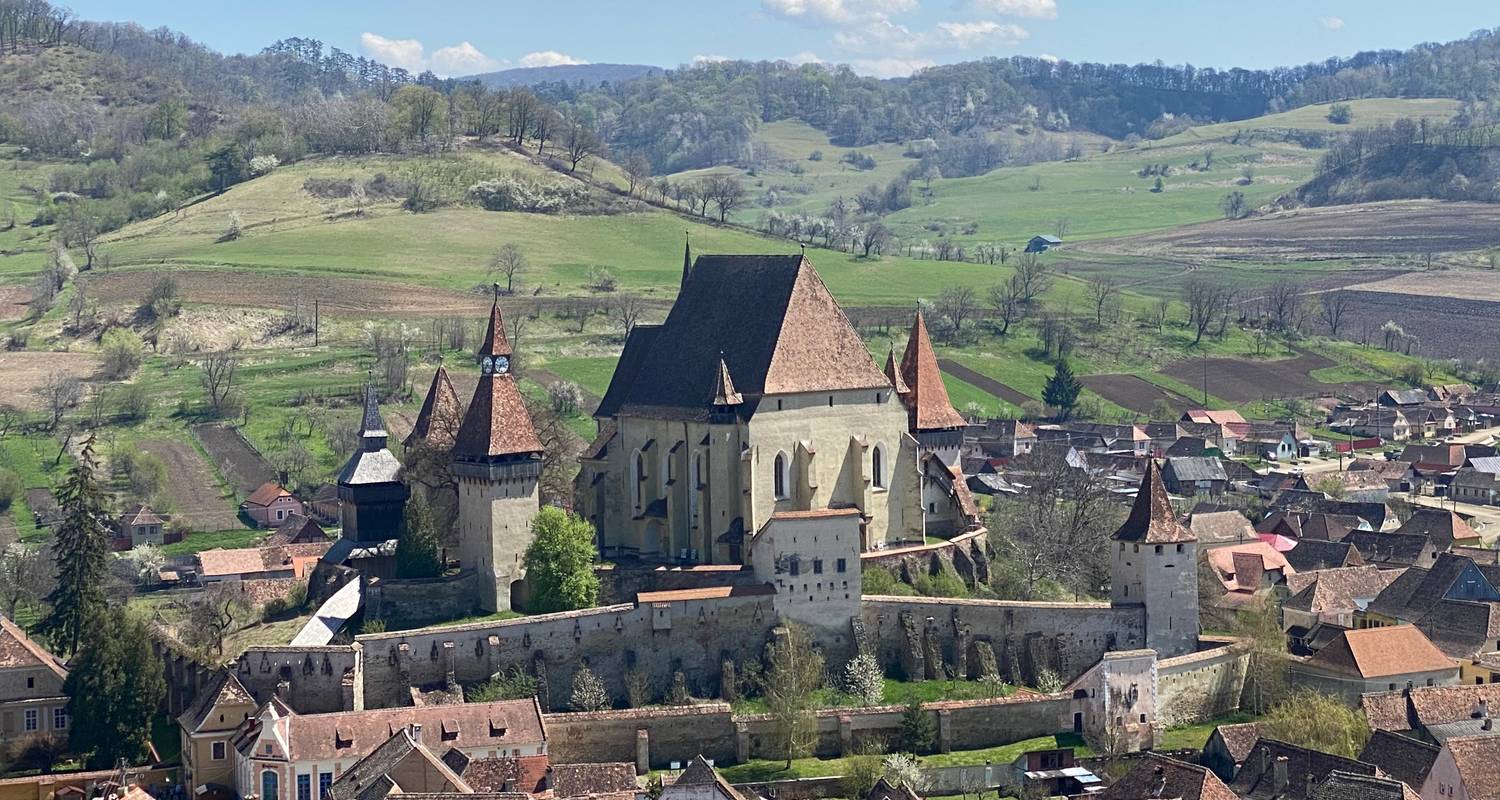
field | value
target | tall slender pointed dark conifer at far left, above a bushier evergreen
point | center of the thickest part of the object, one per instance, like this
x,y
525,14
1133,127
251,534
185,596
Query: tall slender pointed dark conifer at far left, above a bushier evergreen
x,y
83,556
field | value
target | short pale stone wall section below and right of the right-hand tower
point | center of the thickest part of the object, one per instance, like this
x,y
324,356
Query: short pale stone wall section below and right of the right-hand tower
x,y
1202,687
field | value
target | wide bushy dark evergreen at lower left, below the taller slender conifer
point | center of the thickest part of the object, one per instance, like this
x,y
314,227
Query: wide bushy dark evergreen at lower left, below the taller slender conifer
x,y
115,688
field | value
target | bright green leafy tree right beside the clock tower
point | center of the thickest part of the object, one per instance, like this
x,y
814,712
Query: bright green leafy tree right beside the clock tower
x,y
560,562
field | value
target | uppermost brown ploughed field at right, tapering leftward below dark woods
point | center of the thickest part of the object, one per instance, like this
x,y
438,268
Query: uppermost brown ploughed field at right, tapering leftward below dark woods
x,y
1369,230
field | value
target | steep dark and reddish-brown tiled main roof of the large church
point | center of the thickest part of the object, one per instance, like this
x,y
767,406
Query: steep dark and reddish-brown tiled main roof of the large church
x,y
773,320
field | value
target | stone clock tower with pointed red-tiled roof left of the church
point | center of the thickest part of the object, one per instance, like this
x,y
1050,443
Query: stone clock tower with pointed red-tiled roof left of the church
x,y
497,460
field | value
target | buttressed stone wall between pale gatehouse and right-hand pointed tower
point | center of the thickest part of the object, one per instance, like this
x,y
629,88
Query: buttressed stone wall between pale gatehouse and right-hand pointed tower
x,y
935,637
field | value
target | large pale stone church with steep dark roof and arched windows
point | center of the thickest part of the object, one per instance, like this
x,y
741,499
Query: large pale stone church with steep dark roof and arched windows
x,y
758,398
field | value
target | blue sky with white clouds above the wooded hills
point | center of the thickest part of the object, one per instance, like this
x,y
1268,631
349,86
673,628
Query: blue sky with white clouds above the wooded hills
x,y
877,37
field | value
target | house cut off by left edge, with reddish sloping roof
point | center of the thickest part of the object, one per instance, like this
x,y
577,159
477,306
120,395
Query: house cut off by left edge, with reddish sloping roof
x,y
32,700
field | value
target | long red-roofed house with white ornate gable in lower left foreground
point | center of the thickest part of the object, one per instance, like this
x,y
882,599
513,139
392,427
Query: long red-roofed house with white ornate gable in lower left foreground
x,y
284,756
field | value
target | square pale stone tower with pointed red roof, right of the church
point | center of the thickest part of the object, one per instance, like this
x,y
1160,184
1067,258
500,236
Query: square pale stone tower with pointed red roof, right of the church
x,y
1154,565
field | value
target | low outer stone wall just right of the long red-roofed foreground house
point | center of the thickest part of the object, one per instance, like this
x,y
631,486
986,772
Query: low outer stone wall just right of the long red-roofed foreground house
x,y
647,738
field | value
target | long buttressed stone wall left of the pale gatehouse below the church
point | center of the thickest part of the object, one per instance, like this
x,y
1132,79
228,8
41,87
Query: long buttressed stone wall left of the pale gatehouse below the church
x,y
691,637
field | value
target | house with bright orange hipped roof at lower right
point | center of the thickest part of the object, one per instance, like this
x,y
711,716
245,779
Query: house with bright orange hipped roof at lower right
x,y
1376,660
